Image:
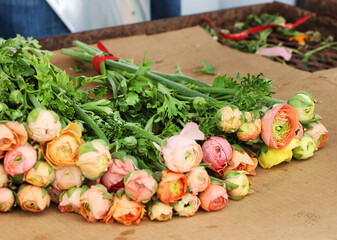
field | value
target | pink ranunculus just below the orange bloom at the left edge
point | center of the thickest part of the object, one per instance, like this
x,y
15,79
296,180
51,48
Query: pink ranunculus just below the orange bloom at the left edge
x,y
20,160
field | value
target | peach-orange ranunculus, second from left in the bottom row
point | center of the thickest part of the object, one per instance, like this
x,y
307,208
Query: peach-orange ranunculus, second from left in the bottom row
x,y
33,198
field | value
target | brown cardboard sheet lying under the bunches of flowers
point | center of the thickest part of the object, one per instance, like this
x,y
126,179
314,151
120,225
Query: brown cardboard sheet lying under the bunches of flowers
x,y
294,200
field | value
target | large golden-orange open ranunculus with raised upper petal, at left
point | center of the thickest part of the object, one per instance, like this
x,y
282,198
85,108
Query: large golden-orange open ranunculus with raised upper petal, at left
x,y
63,150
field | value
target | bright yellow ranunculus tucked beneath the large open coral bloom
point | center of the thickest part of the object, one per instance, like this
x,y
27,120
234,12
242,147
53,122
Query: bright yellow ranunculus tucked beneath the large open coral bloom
x,y
270,157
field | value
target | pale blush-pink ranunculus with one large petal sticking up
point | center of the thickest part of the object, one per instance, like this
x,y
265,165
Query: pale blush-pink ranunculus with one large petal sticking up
x,y
181,152
